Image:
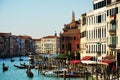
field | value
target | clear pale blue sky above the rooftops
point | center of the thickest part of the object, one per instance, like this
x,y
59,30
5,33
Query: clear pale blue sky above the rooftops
x,y
39,18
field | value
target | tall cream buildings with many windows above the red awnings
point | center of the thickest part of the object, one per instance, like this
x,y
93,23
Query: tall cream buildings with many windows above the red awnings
x,y
102,29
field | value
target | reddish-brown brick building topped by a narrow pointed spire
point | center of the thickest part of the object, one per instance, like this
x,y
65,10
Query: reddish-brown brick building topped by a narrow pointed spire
x,y
70,37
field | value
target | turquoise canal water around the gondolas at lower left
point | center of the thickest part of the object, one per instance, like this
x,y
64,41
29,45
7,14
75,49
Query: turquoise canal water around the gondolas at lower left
x,y
14,73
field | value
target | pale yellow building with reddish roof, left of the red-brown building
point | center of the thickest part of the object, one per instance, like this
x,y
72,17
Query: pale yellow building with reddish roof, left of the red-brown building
x,y
50,44
